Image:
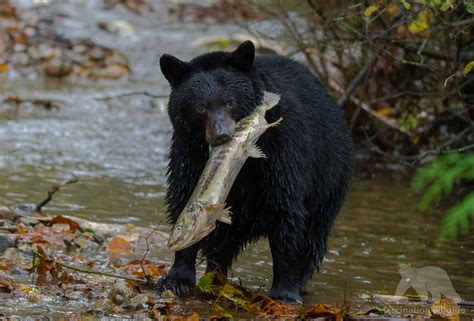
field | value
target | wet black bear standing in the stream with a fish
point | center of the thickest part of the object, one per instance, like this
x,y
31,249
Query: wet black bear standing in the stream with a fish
x,y
292,197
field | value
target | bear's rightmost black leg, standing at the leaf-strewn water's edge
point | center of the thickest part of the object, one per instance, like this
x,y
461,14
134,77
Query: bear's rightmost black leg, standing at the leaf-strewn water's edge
x,y
286,245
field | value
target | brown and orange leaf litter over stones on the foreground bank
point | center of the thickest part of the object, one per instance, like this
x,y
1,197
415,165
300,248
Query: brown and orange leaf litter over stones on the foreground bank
x,y
68,267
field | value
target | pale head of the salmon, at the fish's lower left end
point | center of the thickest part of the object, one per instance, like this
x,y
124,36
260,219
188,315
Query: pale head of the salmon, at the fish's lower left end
x,y
191,226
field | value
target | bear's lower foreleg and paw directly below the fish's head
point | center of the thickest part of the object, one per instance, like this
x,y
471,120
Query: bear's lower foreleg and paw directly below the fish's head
x,y
181,278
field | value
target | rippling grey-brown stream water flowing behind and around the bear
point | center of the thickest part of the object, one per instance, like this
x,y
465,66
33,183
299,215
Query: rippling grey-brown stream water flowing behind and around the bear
x,y
118,149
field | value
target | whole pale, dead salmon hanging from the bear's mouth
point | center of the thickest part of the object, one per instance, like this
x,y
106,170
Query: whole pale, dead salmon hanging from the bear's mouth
x,y
207,202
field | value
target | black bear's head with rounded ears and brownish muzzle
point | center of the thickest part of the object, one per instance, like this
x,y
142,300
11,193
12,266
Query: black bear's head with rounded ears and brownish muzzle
x,y
212,92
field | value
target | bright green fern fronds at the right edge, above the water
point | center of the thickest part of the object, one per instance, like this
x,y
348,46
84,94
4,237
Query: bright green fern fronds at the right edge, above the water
x,y
438,179
